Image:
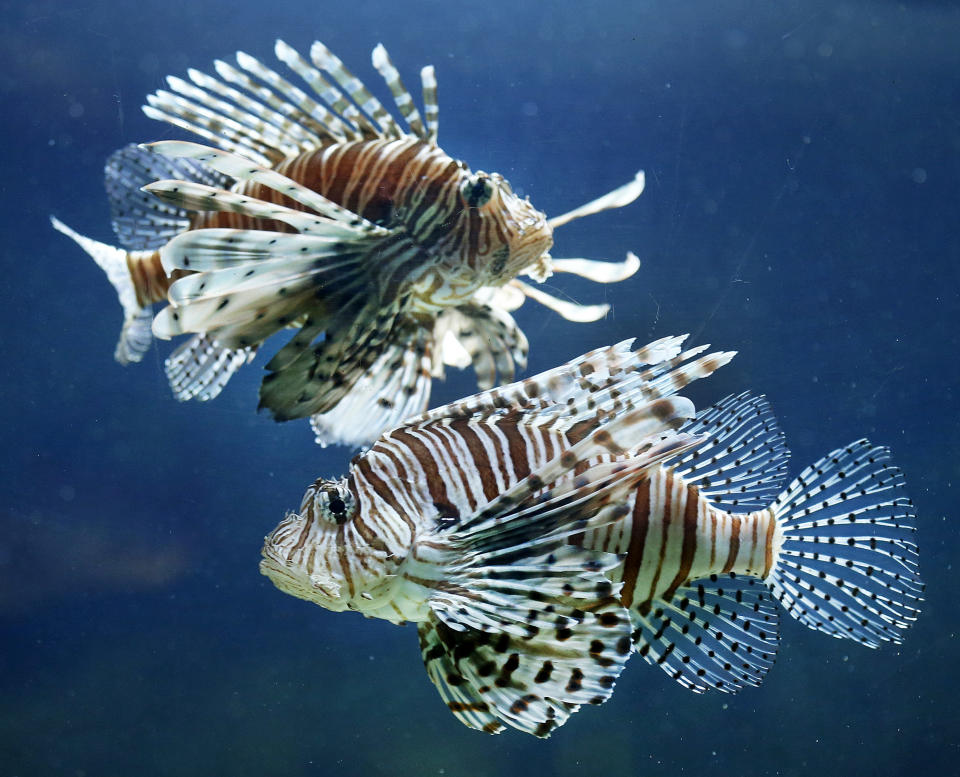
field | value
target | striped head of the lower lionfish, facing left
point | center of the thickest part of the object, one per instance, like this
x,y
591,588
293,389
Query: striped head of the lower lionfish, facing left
x,y
317,554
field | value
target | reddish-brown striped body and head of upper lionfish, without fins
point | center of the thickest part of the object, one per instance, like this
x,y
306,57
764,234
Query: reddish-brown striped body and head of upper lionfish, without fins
x,y
441,245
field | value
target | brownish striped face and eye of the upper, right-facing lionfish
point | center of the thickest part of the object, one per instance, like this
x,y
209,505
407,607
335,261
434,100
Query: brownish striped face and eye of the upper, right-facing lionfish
x,y
511,233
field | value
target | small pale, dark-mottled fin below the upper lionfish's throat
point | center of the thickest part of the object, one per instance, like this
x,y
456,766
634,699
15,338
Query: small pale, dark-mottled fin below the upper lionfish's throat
x,y
484,336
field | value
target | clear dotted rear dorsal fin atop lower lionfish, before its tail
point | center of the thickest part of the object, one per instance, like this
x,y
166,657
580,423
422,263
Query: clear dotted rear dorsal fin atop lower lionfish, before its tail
x,y
742,465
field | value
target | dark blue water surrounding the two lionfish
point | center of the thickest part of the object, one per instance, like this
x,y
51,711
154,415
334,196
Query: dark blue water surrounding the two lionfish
x,y
801,207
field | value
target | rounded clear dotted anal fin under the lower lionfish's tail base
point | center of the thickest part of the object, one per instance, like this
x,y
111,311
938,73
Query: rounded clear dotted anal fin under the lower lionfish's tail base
x,y
720,633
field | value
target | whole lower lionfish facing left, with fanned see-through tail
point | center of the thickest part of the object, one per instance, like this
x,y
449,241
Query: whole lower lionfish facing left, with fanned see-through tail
x,y
541,533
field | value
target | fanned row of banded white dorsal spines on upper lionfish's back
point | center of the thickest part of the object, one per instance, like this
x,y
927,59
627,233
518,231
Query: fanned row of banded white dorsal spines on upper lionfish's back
x,y
253,110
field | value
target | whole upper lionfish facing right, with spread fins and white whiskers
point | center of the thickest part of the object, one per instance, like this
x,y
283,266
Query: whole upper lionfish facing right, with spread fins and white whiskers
x,y
321,211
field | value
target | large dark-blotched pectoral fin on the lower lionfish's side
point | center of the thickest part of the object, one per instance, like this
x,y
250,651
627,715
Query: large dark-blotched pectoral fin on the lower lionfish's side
x,y
526,627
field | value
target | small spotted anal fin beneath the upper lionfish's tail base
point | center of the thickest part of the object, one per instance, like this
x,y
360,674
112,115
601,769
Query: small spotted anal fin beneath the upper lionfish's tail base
x,y
201,367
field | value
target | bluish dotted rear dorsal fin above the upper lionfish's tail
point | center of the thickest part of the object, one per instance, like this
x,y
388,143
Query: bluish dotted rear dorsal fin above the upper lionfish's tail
x,y
141,221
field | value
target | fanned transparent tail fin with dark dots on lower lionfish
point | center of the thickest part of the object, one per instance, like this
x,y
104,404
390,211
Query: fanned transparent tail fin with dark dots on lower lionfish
x,y
846,561
